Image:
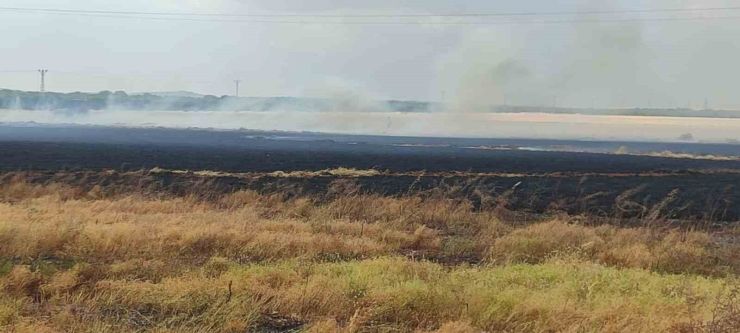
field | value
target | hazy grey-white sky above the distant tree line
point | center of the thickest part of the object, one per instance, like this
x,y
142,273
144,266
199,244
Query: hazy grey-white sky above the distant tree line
x,y
659,64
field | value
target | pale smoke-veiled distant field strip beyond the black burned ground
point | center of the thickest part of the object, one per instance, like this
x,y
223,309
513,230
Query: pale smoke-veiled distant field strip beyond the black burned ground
x,y
448,124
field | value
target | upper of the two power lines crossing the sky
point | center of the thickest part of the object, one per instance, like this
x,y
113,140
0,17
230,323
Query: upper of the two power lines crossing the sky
x,y
554,13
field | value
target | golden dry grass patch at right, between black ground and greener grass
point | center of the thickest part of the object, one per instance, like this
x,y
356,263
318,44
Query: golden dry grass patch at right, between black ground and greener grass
x,y
672,251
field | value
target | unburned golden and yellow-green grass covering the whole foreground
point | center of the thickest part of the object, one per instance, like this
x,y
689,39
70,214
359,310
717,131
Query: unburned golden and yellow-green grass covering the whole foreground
x,y
111,258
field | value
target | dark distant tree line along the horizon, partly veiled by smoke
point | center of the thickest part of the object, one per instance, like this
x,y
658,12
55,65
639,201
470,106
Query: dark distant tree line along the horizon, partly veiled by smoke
x,y
119,100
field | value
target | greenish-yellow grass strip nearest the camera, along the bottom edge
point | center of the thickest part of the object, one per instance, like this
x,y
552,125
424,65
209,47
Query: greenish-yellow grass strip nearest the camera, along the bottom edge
x,y
387,294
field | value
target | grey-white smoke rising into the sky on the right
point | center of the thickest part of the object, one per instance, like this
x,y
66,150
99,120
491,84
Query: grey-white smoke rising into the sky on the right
x,y
632,64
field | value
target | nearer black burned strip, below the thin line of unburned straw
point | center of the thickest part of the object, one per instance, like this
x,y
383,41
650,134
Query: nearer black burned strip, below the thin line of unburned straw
x,y
687,196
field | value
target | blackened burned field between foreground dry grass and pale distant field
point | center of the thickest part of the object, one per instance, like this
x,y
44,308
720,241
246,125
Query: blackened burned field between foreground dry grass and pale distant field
x,y
529,182
